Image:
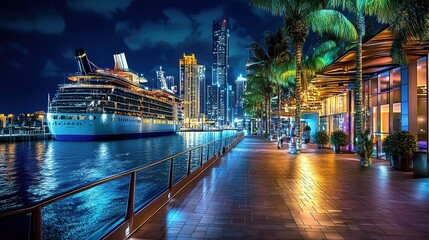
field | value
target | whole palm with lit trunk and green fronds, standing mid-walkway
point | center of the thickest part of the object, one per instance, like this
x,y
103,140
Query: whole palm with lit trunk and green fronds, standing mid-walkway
x,y
299,16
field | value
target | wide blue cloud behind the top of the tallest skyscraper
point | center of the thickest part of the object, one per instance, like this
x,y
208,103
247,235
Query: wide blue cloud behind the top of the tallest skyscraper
x,y
196,28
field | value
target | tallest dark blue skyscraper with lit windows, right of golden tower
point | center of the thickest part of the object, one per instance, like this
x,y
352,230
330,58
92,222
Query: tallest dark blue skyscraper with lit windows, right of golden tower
x,y
220,69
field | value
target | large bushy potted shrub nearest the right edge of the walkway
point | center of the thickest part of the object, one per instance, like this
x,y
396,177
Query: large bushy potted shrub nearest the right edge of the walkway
x,y
400,147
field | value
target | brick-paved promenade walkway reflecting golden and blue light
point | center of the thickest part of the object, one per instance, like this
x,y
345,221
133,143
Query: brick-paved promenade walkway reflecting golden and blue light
x,y
256,191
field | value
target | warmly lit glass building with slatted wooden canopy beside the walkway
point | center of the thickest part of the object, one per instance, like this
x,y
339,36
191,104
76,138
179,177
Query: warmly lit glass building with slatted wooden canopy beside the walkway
x,y
394,97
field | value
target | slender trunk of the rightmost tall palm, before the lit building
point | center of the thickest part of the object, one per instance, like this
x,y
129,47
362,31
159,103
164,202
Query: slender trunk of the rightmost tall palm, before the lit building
x,y
358,83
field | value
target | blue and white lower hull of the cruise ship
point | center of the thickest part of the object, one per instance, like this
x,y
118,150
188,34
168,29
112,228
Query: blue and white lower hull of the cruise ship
x,y
90,127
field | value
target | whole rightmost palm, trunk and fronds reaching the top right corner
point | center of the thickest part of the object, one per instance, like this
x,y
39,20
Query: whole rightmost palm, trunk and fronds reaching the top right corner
x,y
409,21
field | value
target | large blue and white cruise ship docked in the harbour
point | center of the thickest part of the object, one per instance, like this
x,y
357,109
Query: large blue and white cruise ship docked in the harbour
x,y
110,104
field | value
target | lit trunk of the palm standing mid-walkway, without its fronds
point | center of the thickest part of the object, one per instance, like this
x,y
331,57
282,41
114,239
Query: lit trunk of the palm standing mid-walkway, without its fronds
x,y
298,45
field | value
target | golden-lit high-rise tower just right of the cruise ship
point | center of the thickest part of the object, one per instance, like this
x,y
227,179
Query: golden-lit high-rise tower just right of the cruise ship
x,y
191,75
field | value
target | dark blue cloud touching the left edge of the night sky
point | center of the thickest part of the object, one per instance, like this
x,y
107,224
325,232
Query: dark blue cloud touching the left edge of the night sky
x,y
47,21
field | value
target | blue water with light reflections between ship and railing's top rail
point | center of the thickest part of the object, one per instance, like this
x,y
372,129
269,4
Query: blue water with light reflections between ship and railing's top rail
x,y
33,171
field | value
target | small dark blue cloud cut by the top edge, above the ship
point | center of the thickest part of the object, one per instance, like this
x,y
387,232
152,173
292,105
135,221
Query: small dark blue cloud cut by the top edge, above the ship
x,y
102,7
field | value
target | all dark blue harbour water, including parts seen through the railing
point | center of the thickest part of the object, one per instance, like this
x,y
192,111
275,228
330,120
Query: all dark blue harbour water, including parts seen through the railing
x,y
33,171
